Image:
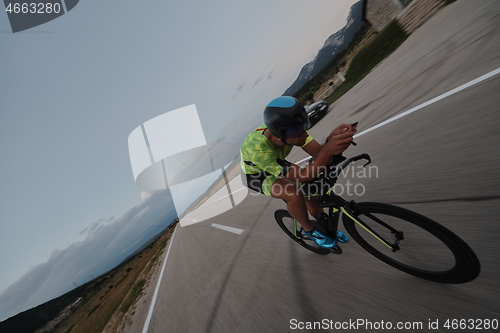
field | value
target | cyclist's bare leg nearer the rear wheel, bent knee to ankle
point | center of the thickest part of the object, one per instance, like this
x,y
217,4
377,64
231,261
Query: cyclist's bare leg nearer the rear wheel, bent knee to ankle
x,y
295,202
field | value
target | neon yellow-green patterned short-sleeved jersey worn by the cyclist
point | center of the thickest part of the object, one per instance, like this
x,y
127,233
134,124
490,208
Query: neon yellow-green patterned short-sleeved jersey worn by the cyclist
x,y
259,155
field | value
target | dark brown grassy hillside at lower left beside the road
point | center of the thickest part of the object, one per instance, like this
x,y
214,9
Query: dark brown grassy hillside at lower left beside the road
x,y
112,293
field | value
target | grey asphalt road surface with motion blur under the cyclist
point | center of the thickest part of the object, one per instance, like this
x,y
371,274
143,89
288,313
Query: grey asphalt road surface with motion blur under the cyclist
x,y
442,161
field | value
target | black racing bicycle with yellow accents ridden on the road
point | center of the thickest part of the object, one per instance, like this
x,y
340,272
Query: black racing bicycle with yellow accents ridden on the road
x,y
406,240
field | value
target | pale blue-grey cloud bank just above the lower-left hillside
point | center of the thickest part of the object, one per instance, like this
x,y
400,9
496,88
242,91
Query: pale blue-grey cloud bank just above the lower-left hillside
x,y
107,243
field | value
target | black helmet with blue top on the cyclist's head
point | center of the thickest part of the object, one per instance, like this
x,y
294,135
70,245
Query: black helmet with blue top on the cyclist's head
x,y
285,117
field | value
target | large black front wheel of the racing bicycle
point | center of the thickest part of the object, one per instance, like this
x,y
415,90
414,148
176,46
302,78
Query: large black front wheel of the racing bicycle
x,y
442,256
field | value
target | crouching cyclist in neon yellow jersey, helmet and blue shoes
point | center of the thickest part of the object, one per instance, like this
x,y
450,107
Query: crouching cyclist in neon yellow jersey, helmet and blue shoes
x,y
263,161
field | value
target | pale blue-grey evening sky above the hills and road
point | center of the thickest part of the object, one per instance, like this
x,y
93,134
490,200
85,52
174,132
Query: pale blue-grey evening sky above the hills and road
x,y
73,89
